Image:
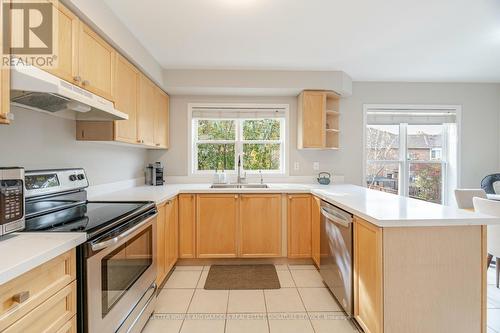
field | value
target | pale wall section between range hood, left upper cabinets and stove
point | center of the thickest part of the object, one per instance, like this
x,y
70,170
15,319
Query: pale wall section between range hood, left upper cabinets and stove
x,y
37,140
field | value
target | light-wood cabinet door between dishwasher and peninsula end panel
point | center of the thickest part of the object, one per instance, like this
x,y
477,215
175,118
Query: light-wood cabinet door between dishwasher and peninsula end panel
x,y
368,299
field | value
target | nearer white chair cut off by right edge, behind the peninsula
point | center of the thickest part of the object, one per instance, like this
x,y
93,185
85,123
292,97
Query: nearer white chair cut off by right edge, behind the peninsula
x,y
491,207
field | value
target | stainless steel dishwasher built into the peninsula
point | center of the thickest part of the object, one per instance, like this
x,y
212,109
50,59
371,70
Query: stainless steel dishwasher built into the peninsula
x,y
336,262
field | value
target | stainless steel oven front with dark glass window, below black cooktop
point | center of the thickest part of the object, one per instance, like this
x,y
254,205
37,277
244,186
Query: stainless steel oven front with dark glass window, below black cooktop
x,y
120,273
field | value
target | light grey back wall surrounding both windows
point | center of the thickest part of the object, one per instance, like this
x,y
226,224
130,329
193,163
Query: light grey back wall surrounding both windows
x,y
480,135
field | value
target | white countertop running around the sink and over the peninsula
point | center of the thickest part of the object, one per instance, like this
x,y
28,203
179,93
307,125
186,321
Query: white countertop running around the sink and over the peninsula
x,y
379,208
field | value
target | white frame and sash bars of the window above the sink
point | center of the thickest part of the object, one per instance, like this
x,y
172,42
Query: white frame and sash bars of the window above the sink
x,y
239,142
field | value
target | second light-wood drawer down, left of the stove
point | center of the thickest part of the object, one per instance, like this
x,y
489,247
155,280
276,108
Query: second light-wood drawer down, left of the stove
x,y
51,316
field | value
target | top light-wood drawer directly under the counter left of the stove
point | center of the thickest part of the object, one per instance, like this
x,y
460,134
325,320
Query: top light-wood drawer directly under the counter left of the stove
x,y
35,286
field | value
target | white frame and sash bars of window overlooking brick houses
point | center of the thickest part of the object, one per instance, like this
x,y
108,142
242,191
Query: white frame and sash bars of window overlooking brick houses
x,y
403,161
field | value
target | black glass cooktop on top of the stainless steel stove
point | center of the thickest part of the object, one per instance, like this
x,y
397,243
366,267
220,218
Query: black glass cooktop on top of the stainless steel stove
x,y
84,217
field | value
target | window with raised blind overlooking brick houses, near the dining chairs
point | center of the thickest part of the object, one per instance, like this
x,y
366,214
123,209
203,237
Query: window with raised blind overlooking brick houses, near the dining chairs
x,y
412,152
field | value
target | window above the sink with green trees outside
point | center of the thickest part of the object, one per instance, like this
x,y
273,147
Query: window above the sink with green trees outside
x,y
220,134
